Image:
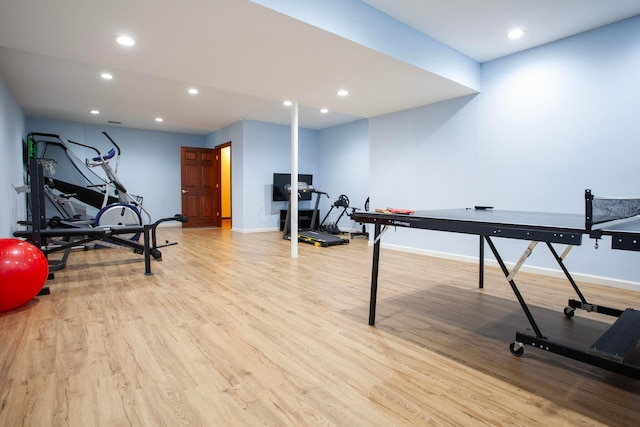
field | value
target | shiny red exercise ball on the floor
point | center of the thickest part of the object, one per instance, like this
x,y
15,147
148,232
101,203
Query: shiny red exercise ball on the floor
x,y
23,272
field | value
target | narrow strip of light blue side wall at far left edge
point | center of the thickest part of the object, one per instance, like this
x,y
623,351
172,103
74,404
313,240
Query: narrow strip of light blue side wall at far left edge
x,y
12,124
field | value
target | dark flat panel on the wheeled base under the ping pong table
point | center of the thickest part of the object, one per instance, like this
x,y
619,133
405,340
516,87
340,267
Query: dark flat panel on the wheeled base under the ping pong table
x,y
618,341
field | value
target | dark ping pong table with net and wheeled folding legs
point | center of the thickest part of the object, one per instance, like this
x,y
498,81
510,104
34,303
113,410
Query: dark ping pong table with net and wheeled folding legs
x,y
603,217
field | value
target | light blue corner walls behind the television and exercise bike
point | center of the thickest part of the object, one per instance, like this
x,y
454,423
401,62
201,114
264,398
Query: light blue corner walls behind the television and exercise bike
x,y
337,157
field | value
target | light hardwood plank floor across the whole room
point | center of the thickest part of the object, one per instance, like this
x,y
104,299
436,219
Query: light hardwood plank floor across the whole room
x,y
230,331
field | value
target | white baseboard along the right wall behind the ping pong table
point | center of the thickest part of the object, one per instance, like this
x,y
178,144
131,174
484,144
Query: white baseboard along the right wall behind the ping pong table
x,y
550,272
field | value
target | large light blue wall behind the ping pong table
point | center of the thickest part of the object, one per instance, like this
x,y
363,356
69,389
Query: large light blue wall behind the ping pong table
x,y
549,123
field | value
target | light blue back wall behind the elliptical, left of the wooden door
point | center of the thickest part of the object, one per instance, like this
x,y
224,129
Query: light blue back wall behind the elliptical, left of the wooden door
x,y
150,161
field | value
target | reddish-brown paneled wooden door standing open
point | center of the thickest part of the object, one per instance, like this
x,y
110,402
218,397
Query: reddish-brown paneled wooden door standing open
x,y
200,186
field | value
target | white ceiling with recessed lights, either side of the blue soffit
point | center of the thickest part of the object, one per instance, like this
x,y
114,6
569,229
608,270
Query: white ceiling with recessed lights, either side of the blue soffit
x,y
246,59
